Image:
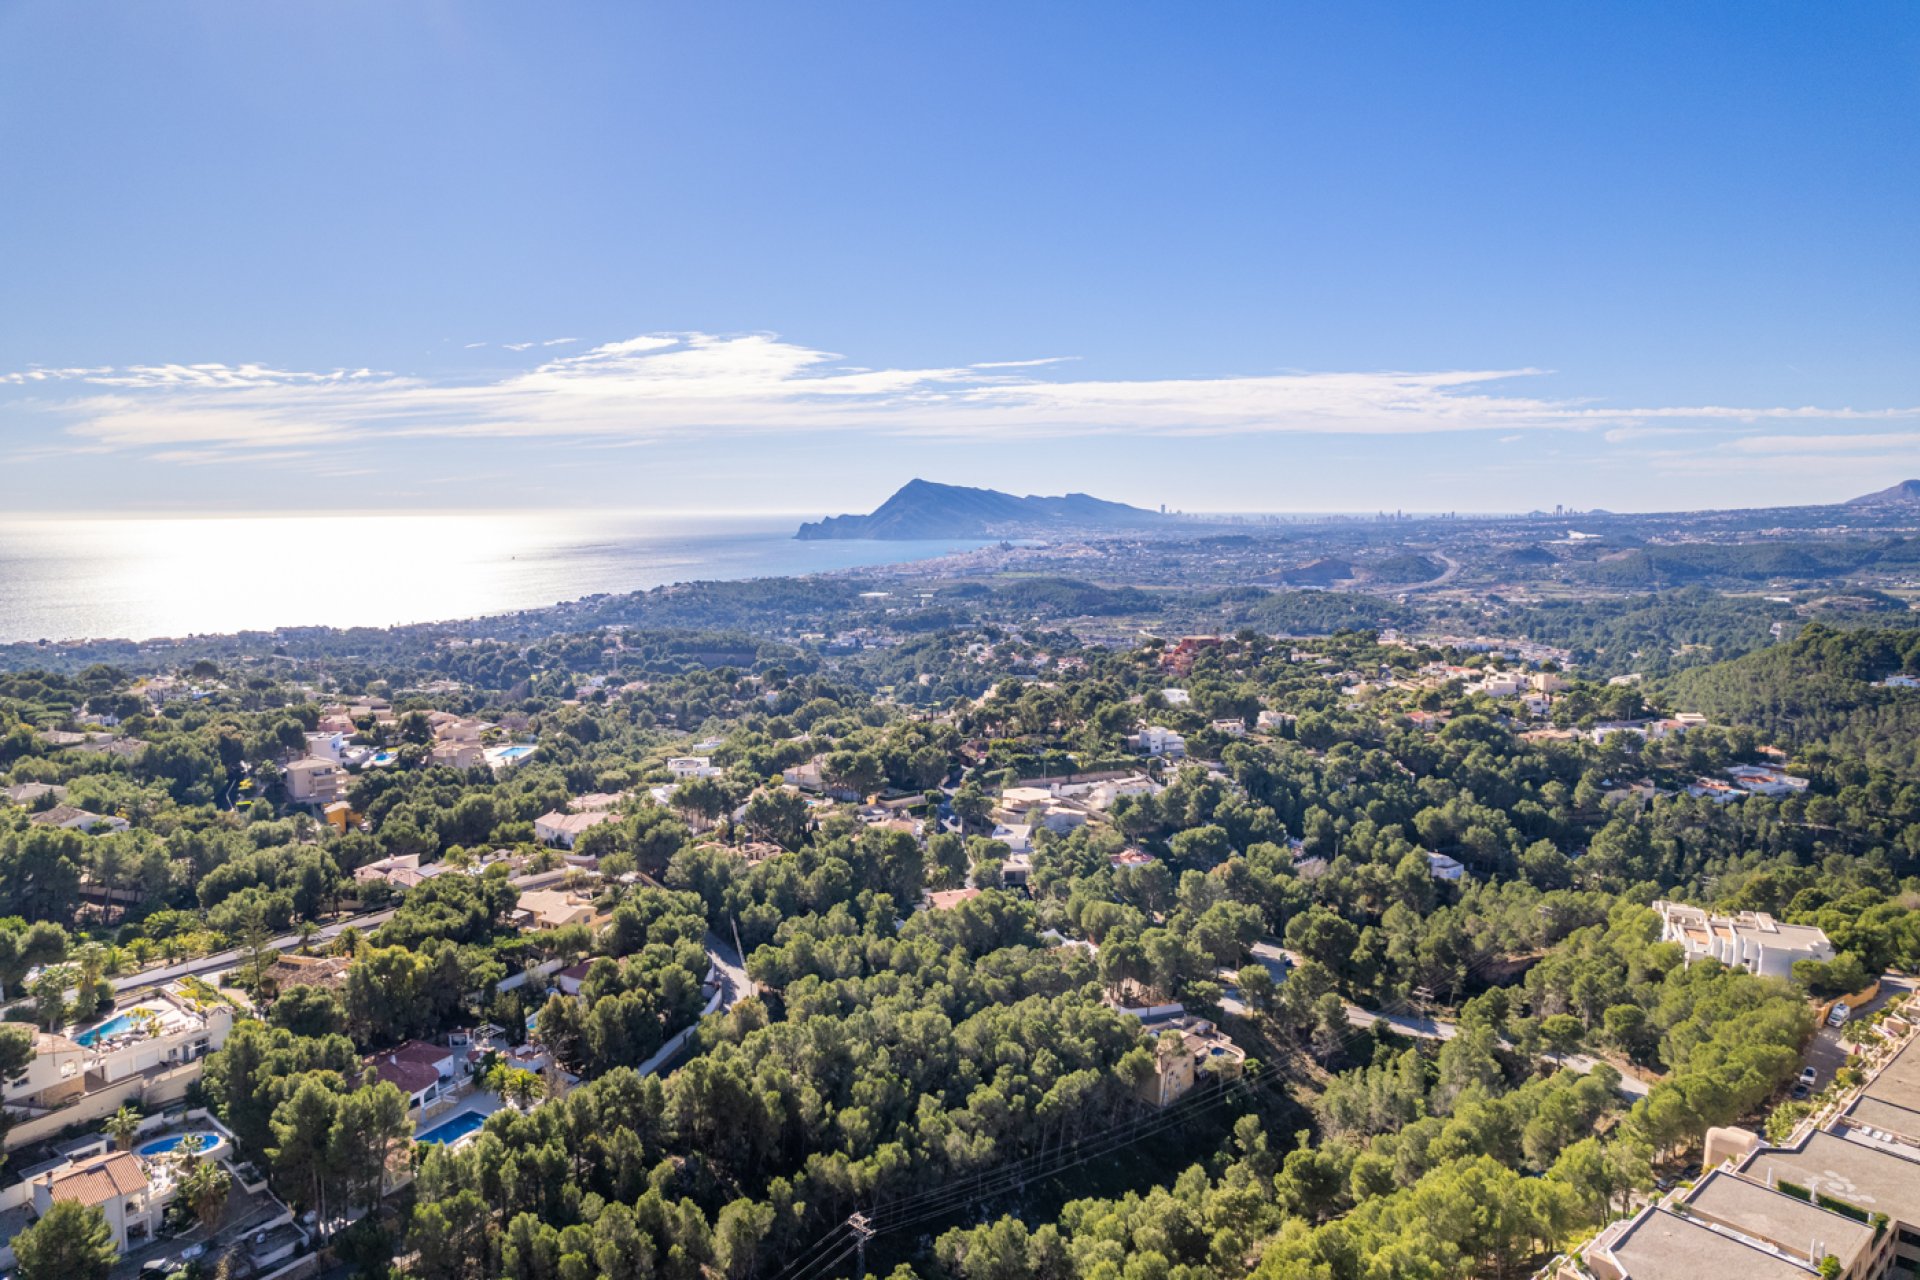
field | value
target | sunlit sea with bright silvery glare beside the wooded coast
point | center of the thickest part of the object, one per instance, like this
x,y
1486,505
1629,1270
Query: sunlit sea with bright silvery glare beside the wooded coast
x,y
174,577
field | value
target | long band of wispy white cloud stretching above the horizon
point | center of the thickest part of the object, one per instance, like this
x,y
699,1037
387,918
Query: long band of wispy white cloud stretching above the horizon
x,y
702,387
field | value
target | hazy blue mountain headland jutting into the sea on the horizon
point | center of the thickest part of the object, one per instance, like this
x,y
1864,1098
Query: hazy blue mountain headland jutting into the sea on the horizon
x,y
924,510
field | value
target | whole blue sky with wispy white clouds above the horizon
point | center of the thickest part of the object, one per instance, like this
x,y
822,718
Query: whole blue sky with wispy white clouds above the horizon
x,y
773,256
